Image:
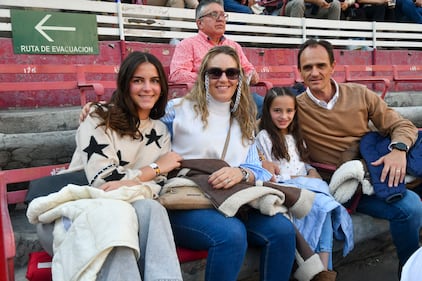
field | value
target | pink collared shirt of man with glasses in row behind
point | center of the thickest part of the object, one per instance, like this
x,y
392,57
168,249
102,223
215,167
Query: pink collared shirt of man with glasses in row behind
x,y
188,55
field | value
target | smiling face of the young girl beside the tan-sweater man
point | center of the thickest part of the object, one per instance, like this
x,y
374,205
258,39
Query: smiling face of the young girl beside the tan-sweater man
x,y
282,111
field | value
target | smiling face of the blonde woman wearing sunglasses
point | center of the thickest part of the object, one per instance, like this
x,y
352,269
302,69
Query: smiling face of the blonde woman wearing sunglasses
x,y
222,88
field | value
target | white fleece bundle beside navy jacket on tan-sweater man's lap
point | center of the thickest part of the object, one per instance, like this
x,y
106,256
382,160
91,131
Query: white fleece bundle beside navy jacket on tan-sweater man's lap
x,y
346,179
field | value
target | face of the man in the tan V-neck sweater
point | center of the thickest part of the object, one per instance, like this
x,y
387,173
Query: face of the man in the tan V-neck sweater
x,y
316,70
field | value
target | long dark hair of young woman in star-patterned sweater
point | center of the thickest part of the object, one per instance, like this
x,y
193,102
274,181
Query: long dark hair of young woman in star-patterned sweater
x,y
120,113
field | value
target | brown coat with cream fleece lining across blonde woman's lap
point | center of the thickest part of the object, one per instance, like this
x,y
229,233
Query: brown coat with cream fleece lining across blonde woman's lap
x,y
267,197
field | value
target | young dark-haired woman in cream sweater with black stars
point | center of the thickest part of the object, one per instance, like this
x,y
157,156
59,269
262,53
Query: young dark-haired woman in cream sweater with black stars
x,y
122,143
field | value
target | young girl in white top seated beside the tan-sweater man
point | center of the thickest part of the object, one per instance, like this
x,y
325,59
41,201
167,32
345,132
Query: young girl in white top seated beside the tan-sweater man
x,y
281,142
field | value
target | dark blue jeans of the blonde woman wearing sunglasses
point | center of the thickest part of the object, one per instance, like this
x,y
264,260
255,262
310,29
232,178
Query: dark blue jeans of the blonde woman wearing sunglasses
x,y
227,239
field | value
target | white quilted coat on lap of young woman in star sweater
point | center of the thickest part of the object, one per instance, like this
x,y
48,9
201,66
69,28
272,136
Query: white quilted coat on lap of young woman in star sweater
x,y
89,222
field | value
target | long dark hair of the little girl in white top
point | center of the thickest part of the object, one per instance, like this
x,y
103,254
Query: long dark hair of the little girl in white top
x,y
279,147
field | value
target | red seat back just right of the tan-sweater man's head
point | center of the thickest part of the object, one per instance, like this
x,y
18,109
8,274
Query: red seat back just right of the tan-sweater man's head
x,y
370,73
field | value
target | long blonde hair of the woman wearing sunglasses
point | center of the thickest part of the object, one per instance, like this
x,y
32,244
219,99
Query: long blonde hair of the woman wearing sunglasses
x,y
245,113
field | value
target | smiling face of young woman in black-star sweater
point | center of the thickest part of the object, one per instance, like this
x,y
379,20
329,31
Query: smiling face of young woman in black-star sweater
x,y
145,88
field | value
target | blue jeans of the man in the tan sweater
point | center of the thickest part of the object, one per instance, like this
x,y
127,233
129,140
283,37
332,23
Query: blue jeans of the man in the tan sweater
x,y
405,217
